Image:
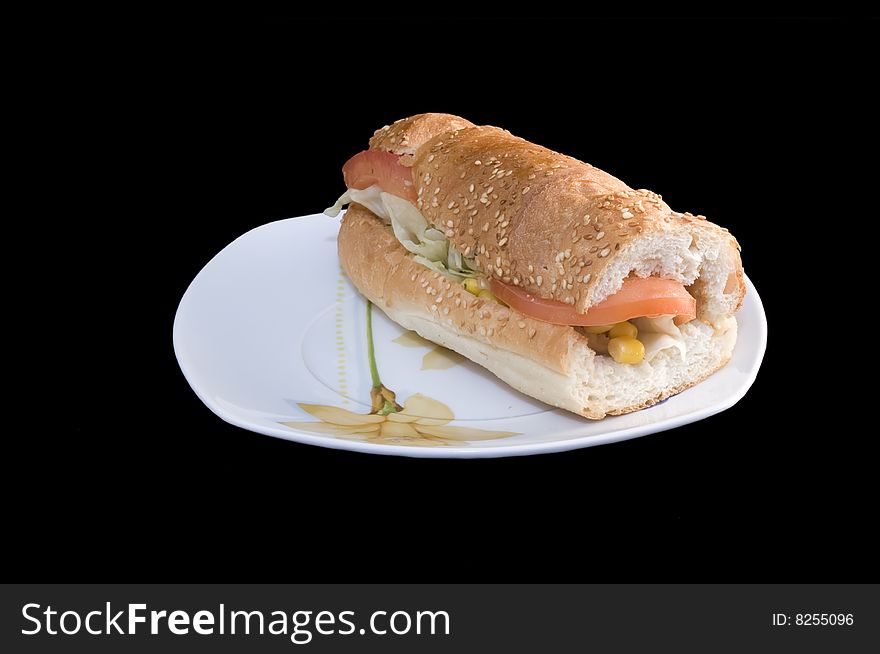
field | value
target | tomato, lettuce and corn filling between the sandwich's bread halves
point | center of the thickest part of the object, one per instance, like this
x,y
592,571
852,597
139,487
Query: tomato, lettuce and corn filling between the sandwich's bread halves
x,y
631,326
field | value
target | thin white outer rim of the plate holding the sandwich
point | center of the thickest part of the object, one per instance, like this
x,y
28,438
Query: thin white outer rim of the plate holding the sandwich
x,y
457,452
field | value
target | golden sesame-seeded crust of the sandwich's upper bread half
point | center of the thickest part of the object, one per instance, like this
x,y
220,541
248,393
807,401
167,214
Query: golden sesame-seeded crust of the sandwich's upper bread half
x,y
530,216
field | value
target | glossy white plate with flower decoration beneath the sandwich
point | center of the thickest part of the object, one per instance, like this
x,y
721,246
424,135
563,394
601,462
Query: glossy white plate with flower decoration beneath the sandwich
x,y
271,323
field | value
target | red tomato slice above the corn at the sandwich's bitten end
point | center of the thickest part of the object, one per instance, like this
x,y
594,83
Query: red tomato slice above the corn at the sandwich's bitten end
x,y
639,296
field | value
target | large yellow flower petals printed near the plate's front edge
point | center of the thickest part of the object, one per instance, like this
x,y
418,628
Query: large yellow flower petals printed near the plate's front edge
x,y
421,422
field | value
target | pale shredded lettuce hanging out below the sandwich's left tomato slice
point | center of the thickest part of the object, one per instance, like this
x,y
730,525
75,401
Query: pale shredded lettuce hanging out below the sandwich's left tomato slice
x,y
429,245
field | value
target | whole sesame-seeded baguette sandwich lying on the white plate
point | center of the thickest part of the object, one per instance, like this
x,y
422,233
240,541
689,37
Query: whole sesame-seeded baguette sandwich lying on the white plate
x,y
555,276
